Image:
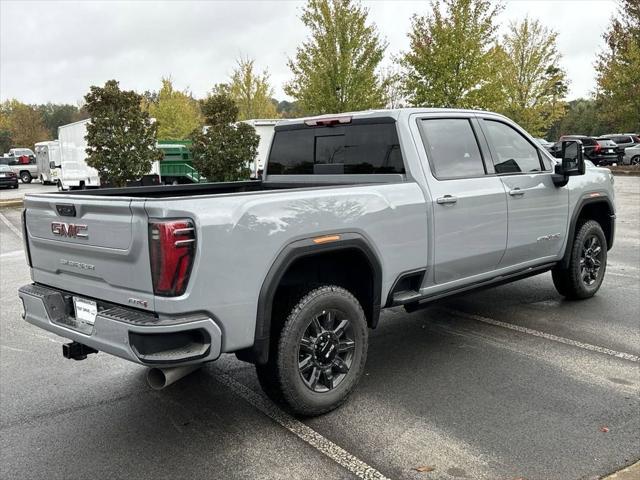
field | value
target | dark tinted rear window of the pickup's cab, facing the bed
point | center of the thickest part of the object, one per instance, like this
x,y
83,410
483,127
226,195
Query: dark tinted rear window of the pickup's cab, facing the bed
x,y
349,149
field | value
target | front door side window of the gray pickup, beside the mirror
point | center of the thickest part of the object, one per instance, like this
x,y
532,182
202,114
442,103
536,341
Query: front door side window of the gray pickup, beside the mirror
x,y
514,153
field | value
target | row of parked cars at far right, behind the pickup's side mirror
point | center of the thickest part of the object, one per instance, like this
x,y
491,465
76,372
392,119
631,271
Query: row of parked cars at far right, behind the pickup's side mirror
x,y
622,149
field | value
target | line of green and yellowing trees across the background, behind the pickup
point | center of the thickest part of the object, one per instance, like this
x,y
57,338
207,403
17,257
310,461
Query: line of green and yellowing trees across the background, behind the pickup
x,y
454,59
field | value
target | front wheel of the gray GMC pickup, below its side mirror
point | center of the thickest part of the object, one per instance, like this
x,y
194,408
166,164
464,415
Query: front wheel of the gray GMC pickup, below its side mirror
x,y
587,264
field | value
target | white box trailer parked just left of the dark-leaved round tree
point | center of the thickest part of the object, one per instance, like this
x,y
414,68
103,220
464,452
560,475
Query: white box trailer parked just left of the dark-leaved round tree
x,y
74,171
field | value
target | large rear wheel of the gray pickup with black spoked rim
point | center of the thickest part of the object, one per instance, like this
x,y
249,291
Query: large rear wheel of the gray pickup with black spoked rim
x,y
320,353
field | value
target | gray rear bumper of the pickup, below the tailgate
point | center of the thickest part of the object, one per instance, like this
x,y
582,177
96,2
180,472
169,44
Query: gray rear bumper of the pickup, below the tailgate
x,y
124,332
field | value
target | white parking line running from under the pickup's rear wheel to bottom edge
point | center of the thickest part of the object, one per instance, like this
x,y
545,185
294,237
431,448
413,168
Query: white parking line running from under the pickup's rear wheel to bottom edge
x,y
336,453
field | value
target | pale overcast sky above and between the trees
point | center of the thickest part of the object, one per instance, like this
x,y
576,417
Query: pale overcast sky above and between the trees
x,y
54,50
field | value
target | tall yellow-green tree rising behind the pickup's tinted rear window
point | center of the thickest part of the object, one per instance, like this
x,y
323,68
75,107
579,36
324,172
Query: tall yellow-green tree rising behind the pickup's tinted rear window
x,y
335,69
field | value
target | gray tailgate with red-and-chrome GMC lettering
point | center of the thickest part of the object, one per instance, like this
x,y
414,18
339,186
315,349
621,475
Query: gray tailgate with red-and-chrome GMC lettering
x,y
92,246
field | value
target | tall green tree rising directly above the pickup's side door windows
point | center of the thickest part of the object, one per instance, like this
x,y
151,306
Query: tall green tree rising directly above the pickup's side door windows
x,y
452,59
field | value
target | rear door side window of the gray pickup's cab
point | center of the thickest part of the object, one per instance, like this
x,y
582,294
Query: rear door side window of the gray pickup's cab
x,y
452,148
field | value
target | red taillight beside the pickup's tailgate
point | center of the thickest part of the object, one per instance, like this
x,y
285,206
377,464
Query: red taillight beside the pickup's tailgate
x,y
172,246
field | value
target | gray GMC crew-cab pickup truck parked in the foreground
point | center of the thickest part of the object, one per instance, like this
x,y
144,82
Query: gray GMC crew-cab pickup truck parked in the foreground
x,y
355,213
